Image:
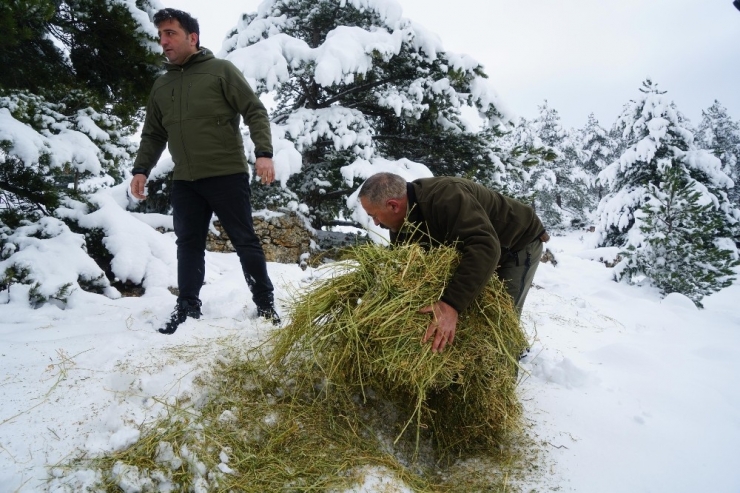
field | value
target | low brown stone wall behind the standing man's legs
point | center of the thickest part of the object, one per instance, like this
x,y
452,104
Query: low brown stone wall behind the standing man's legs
x,y
285,236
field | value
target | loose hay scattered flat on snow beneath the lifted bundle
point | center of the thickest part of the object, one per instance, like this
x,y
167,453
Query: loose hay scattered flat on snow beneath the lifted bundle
x,y
259,431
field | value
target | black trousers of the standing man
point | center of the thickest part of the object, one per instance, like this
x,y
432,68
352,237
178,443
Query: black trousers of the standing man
x,y
193,204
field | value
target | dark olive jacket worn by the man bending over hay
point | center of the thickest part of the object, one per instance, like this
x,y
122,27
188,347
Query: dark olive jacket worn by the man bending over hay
x,y
482,224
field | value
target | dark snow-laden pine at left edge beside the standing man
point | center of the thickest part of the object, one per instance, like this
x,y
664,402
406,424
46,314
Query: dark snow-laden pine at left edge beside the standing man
x,y
75,76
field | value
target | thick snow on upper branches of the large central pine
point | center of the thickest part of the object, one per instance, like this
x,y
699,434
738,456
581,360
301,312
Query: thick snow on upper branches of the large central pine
x,y
259,47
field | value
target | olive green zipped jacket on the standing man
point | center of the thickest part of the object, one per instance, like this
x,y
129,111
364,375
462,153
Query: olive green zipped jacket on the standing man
x,y
195,109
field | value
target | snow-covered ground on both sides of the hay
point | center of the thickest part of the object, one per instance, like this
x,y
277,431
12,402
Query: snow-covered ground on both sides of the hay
x,y
628,392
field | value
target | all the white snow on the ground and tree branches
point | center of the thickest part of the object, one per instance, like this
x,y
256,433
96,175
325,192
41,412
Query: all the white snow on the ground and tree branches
x,y
624,390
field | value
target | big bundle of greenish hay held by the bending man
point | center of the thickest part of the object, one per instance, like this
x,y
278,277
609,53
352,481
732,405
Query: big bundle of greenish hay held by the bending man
x,y
359,330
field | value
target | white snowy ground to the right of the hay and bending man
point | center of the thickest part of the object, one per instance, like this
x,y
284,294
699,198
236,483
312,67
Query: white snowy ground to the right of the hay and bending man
x,y
631,385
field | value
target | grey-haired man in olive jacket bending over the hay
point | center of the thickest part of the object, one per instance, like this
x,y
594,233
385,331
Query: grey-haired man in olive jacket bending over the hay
x,y
495,235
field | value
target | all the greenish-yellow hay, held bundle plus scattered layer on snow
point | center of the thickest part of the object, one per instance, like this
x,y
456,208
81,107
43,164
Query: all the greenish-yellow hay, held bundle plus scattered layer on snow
x,y
346,389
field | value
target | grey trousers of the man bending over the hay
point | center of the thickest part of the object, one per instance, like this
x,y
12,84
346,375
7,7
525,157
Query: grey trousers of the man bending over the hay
x,y
517,270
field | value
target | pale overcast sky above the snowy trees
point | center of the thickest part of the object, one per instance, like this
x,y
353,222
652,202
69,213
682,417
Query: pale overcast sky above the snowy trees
x,y
582,56
